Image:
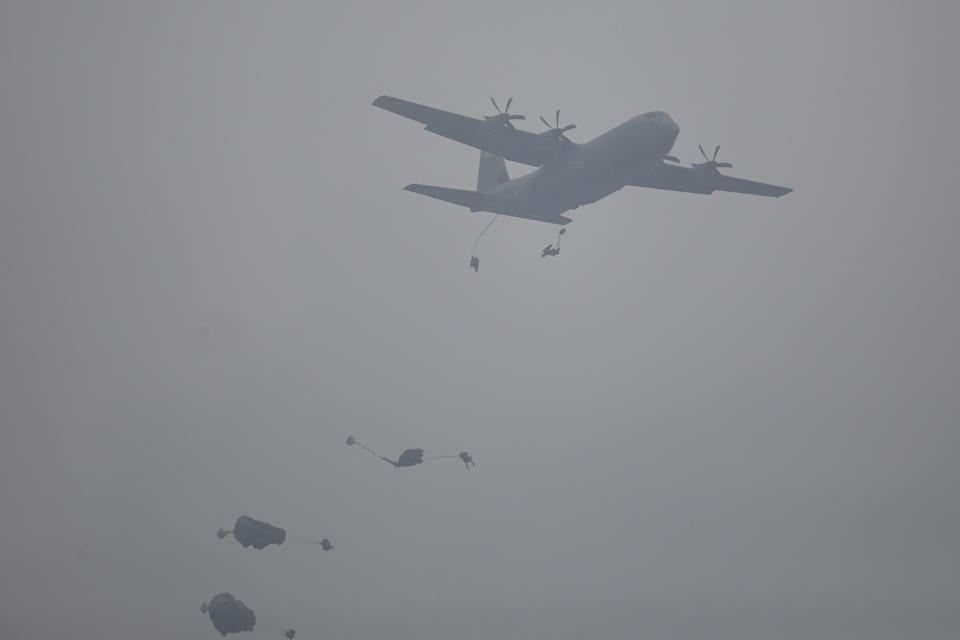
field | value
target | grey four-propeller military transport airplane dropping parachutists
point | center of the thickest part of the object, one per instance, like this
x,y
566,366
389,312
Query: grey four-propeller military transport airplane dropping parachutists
x,y
569,174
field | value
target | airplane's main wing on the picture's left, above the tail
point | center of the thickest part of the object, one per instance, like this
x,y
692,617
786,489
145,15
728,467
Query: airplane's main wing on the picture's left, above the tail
x,y
512,144
